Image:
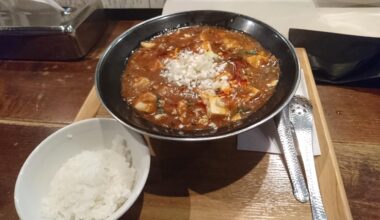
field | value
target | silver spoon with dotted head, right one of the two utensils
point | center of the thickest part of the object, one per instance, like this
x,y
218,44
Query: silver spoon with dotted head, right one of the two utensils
x,y
301,116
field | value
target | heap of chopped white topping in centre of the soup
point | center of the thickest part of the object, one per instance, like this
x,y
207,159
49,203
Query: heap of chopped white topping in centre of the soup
x,y
195,70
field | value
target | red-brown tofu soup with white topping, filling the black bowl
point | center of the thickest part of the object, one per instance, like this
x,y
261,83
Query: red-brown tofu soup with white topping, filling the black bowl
x,y
199,77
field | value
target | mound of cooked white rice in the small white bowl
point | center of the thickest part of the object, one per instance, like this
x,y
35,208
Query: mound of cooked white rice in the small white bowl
x,y
91,185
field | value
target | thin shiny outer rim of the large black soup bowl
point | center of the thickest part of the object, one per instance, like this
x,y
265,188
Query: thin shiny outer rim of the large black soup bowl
x,y
108,50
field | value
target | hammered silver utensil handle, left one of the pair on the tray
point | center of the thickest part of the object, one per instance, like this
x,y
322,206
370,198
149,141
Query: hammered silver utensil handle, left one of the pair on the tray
x,y
290,154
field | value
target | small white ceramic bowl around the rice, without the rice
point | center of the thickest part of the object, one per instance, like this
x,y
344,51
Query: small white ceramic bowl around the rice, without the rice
x,y
38,170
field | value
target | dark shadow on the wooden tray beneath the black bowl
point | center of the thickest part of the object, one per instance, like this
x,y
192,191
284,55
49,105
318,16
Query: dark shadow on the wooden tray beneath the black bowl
x,y
180,167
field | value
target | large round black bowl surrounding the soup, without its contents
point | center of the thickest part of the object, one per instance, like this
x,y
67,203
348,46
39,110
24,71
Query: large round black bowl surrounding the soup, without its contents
x,y
112,65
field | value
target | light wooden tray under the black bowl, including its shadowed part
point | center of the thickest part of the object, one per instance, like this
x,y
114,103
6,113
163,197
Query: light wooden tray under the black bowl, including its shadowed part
x,y
213,180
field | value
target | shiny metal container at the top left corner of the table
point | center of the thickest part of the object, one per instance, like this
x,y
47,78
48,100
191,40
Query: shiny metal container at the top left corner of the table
x,y
47,34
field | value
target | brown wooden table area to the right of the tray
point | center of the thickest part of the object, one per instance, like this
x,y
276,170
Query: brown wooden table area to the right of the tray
x,y
353,117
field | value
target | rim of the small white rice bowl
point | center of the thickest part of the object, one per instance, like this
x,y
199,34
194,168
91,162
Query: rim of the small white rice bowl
x,y
122,209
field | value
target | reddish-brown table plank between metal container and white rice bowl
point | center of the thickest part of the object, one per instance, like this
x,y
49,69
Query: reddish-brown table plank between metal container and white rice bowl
x,y
47,92
